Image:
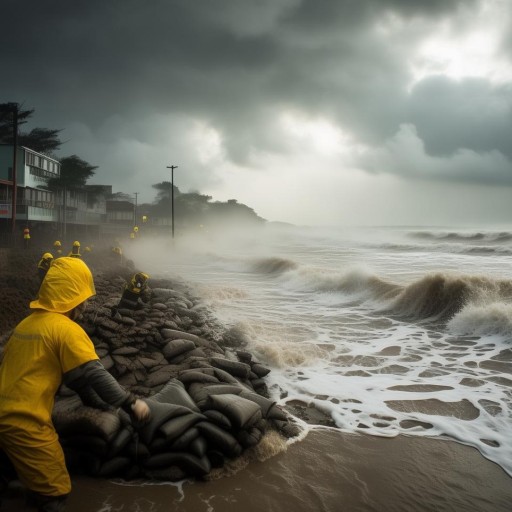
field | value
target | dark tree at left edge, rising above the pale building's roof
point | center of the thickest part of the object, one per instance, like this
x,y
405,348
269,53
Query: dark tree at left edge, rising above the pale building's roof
x,y
42,140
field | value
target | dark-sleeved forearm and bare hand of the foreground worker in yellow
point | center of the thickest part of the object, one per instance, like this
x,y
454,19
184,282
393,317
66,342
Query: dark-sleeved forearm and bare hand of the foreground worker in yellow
x,y
98,387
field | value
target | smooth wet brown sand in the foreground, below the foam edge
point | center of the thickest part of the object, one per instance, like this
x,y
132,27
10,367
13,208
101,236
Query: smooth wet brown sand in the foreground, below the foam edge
x,y
327,471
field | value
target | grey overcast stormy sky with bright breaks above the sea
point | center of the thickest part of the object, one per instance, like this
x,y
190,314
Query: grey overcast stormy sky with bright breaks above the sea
x,y
308,111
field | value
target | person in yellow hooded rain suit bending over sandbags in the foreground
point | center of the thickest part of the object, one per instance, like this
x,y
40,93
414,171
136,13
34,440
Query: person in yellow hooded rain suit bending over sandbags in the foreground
x,y
45,349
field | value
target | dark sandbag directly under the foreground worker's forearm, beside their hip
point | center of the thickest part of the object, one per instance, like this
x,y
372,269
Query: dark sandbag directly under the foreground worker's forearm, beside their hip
x,y
88,421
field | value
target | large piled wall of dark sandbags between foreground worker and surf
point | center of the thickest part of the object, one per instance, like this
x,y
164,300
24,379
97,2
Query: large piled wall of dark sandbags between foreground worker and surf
x,y
208,404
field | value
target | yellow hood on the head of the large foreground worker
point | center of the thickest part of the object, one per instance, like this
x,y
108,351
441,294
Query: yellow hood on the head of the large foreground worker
x,y
67,284
